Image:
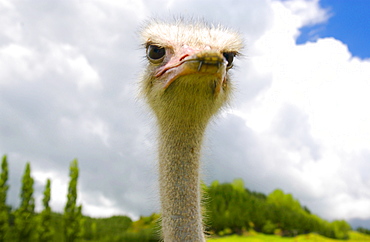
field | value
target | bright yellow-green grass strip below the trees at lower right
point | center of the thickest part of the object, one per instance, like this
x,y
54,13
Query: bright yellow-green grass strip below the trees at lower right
x,y
354,237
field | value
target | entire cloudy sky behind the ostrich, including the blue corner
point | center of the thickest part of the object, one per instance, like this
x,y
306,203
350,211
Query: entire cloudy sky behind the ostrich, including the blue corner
x,y
299,119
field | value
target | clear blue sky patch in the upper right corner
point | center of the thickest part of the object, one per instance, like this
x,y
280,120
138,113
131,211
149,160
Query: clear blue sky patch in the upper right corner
x,y
349,22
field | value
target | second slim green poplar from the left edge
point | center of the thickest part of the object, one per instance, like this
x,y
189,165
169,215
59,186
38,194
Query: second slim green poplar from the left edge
x,y
24,216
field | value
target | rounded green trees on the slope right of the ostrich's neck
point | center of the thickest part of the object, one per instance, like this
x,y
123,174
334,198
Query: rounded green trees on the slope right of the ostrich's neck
x,y
234,209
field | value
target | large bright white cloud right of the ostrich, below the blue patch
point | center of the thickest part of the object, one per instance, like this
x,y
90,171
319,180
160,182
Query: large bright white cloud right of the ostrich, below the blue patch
x,y
329,87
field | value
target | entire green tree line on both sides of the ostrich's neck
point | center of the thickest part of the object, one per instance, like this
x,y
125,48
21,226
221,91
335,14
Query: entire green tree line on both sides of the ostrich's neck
x,y
230,209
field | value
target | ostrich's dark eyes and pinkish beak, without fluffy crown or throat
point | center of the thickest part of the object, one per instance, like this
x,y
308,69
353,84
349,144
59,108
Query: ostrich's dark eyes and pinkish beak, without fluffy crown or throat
x,y
192,62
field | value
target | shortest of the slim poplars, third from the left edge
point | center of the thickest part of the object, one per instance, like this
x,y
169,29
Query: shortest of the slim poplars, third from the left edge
x,y
45,229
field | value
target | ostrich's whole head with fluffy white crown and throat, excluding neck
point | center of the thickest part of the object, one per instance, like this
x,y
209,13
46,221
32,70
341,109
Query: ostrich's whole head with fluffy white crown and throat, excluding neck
x,y
188,67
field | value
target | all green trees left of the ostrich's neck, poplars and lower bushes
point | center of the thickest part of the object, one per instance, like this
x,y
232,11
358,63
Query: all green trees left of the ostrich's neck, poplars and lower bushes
x,y
24,224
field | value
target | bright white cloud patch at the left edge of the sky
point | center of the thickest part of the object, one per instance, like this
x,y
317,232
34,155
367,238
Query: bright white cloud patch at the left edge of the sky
x,y
22,63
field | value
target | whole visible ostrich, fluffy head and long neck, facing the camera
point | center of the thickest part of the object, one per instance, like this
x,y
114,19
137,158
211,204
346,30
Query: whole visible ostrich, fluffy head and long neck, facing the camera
x,y
186,83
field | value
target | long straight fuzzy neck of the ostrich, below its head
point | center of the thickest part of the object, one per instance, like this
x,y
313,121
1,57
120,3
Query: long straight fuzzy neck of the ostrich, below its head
x,y
179,153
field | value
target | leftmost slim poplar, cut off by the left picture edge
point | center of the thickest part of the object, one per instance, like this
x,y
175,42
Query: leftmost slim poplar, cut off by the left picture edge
x,y
4,212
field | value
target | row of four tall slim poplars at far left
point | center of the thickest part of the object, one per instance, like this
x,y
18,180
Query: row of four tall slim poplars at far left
x,y
24,224
